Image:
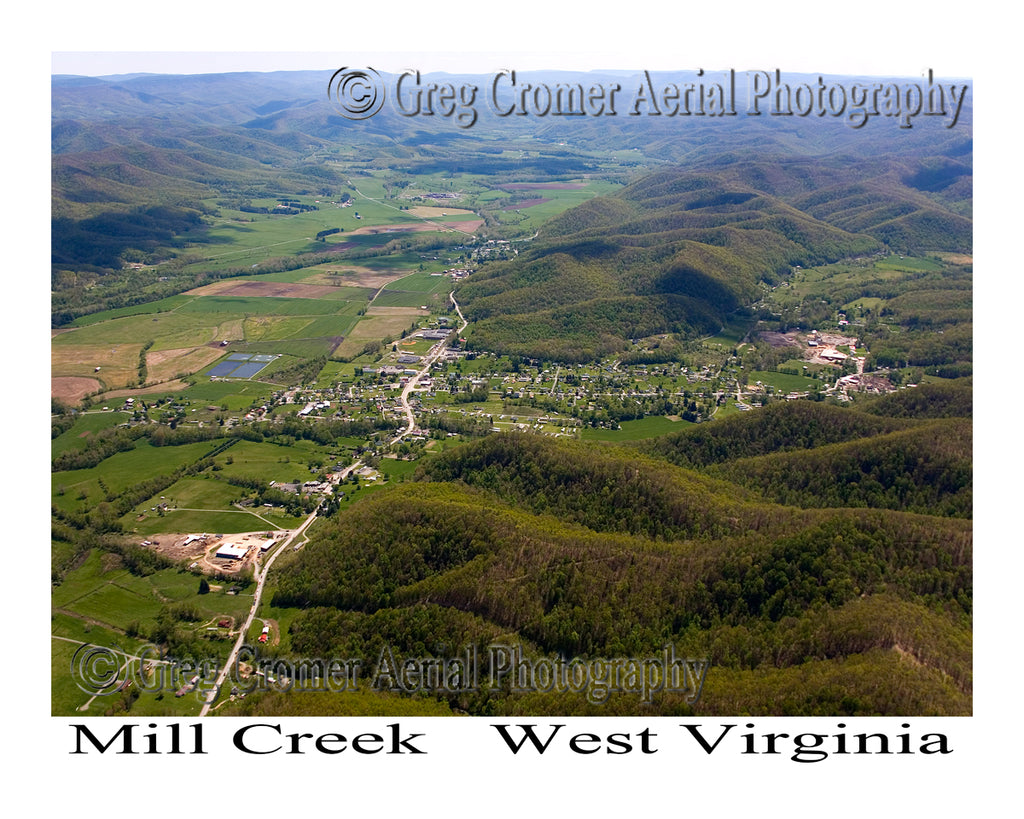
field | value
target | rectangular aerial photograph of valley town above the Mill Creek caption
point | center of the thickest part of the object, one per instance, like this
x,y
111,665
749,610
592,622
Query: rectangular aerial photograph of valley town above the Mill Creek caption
x,y
521,394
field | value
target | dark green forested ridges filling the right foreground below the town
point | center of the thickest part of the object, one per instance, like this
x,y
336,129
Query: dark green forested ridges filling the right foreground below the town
x,y
596,551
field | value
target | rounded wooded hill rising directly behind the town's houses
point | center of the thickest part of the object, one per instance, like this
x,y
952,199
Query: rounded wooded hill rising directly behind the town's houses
x,y
675,252
